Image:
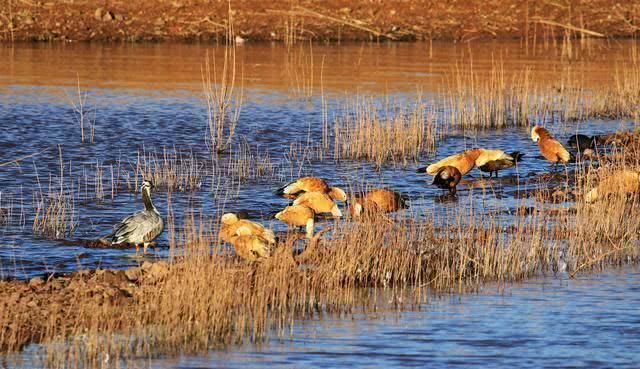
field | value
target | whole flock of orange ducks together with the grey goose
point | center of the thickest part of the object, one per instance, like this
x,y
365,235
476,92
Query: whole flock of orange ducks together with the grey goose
x,y
312,196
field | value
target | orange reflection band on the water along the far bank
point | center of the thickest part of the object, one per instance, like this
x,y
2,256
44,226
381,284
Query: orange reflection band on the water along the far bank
x,y
367,67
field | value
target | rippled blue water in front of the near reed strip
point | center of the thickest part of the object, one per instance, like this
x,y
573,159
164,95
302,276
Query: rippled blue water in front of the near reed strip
x,y
590,322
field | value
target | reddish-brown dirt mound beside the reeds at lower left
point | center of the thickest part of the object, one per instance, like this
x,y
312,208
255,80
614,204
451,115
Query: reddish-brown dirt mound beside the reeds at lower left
x,y
26,307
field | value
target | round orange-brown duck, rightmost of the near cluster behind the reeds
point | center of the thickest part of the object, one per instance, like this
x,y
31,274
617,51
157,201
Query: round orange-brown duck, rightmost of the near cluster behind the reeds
x,y
379,200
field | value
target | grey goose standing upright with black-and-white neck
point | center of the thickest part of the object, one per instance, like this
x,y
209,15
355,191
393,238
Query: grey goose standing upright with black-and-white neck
x,y
142,227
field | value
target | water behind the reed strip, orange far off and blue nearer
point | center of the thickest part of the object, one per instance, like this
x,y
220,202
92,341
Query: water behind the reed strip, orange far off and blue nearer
x,y
148,98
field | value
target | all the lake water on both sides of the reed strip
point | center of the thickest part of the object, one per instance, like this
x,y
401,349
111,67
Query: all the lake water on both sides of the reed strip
x,y
148,98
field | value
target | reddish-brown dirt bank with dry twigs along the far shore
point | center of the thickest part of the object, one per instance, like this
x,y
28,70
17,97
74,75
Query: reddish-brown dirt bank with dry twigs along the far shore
x,y
181,20
